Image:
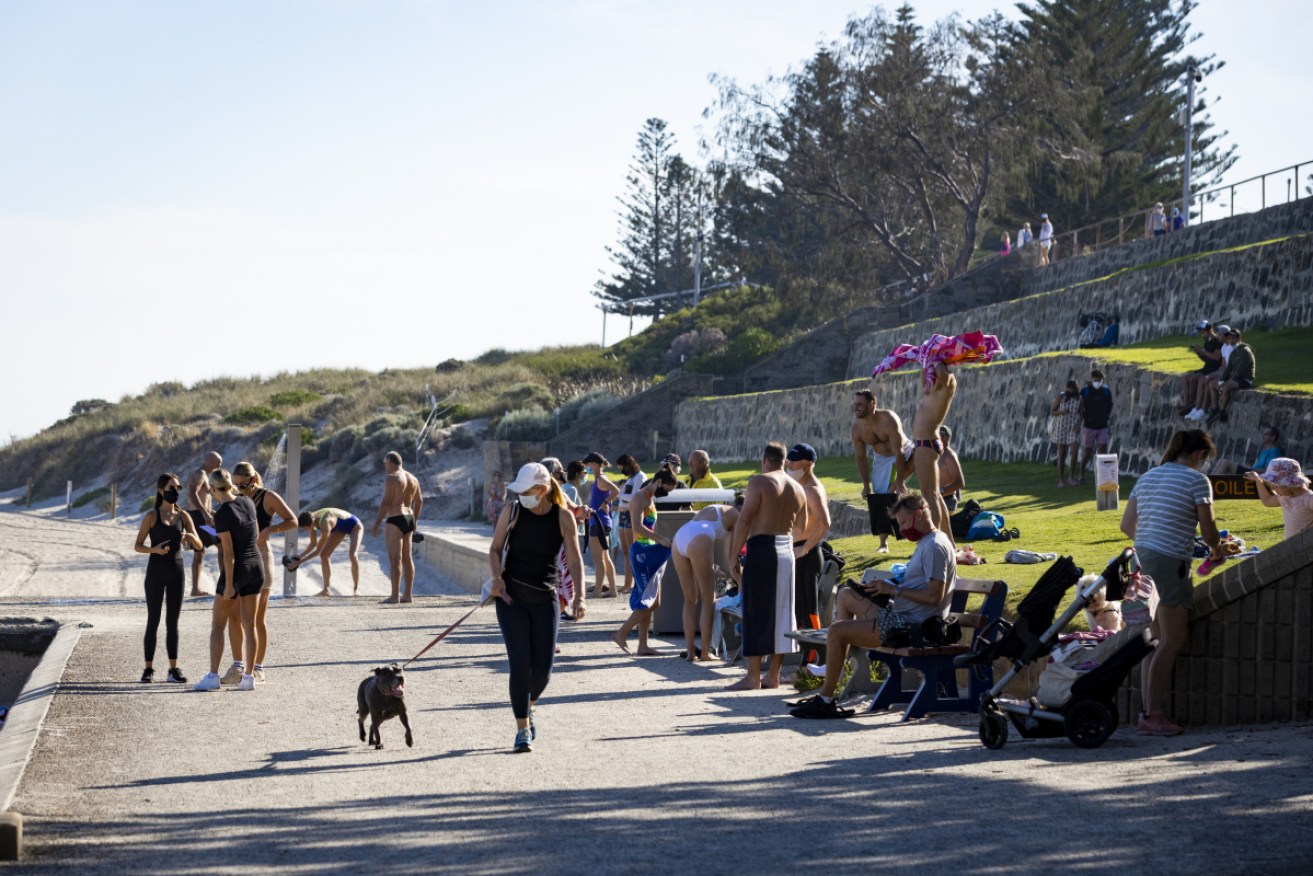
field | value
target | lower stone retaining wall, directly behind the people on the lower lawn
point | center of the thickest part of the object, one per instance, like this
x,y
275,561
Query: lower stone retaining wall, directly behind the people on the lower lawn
x,y
1001,414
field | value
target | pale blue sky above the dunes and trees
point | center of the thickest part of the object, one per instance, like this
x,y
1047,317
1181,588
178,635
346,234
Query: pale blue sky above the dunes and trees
x,y
194,190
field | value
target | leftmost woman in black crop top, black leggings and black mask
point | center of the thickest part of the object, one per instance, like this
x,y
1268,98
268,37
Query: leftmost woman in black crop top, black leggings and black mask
x,y
167,527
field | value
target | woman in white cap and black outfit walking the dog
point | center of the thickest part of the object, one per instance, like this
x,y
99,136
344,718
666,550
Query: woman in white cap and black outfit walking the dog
x,y
530,537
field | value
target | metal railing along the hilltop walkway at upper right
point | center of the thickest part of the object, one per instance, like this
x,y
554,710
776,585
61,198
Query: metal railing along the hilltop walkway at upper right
x,y
1247,196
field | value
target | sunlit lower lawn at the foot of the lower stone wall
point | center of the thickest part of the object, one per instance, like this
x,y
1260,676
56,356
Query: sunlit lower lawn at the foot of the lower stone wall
x,y
1051,519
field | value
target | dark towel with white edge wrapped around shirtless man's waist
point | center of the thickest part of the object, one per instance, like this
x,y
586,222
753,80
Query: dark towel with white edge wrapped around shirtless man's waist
x,y
767,589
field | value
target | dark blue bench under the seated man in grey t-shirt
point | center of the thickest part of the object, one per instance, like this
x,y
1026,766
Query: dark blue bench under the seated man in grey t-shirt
x,y
939,690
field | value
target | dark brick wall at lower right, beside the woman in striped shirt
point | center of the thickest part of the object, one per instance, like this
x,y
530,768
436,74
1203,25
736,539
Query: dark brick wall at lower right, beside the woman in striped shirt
x,y
1251,652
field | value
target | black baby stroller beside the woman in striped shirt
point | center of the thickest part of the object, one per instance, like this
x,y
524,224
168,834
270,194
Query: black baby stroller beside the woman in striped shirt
x,y
1089,714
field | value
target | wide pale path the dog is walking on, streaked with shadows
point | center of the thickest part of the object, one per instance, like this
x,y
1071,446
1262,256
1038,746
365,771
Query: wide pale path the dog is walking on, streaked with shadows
x,y
643,766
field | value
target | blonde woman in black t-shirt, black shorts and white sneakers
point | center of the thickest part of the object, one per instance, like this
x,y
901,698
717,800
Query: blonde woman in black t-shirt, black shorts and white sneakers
x,y
241,577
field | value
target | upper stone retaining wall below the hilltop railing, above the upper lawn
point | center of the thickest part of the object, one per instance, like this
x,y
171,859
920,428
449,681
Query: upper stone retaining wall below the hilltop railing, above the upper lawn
x,y
1265,287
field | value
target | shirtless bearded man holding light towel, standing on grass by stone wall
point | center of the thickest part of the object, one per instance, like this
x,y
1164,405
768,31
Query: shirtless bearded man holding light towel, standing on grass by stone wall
x,y
879,434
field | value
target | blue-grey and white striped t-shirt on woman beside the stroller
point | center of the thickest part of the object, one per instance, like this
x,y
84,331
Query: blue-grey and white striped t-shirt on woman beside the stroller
x,y
1167,500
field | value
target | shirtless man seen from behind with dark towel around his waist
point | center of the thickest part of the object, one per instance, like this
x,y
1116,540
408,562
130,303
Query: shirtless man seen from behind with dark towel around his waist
x,y
773,505
